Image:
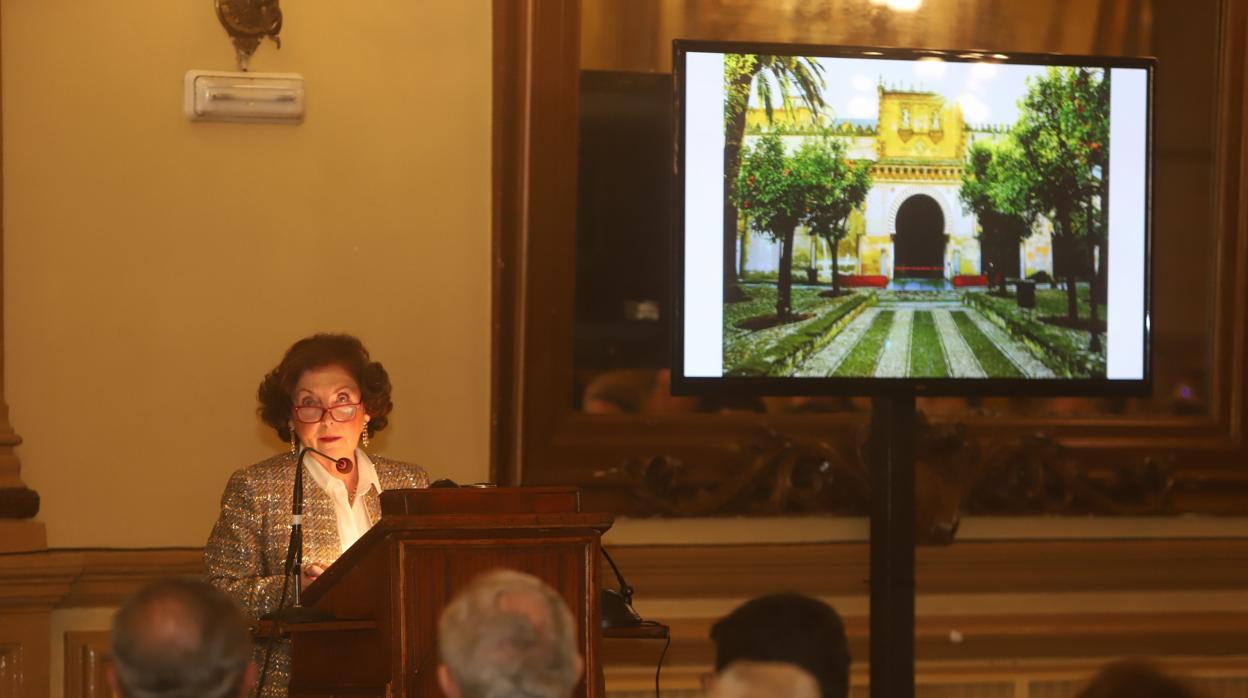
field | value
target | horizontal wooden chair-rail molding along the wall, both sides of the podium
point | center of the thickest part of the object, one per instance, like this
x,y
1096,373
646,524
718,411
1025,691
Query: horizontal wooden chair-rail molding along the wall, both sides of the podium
x,y
102,579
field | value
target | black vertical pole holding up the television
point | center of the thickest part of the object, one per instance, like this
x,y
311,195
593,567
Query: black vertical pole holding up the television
x,y
892,453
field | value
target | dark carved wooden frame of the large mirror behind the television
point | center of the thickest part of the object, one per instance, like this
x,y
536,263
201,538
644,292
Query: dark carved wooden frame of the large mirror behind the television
x,y
1166,463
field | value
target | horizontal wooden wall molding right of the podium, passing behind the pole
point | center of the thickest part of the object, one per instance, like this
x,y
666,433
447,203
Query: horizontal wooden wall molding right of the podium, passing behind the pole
x,y
841,570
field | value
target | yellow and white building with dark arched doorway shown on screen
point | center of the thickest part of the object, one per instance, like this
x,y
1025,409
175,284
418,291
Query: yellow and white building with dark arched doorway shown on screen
x,y
913,224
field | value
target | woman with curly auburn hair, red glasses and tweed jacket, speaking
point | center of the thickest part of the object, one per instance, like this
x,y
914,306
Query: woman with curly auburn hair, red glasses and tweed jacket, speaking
x,y
326,399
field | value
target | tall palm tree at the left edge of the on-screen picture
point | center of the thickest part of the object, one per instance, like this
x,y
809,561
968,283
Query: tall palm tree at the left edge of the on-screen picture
x,y
746,74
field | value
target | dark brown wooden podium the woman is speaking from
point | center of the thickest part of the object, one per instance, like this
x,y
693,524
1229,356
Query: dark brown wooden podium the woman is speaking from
x,y
388,591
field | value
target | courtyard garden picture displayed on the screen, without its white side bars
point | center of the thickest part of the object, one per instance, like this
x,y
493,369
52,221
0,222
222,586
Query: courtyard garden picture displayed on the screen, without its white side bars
x,y
948,232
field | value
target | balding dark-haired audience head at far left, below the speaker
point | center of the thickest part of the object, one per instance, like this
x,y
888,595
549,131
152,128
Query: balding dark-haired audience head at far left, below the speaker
x,y
180,639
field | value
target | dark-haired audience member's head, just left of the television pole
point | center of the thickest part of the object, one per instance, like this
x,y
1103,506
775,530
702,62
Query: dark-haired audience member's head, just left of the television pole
x,y
787,627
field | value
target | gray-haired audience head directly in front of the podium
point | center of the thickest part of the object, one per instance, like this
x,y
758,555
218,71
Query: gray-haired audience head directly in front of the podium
x,y
496,647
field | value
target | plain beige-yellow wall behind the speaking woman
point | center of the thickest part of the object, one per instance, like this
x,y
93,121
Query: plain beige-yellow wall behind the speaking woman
x,y
152,264
